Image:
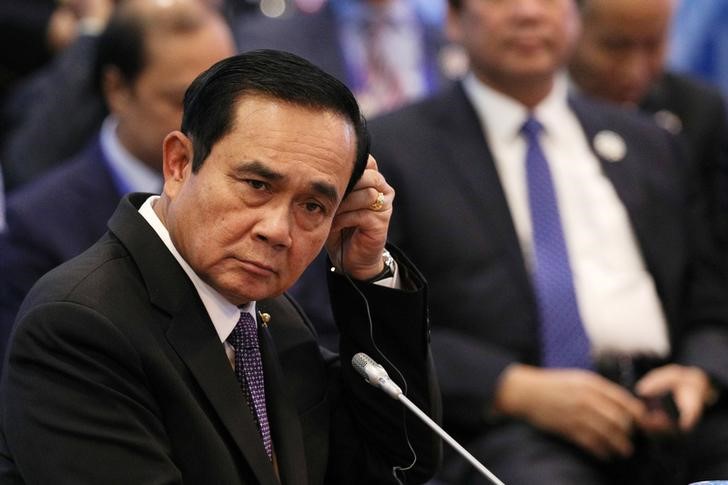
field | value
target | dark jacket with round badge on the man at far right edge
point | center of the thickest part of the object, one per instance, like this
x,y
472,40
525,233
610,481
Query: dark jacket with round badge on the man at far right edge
x,y
703,123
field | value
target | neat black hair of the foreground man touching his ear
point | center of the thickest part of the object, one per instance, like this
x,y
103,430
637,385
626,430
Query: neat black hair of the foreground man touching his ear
x,y
211,99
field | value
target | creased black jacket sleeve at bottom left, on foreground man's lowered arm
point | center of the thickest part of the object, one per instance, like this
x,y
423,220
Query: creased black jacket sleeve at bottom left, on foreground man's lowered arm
x,y
73,379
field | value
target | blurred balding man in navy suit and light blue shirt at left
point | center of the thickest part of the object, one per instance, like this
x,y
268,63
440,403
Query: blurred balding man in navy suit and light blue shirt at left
x,y
143,74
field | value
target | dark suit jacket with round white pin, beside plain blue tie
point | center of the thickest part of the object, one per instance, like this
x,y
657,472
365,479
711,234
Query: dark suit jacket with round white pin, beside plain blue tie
x,y
453,220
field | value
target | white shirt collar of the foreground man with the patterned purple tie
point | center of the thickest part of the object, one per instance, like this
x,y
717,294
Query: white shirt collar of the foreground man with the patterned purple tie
x,y
224,315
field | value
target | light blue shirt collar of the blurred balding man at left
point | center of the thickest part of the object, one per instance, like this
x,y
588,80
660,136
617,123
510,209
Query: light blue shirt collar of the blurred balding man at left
x,y
131,174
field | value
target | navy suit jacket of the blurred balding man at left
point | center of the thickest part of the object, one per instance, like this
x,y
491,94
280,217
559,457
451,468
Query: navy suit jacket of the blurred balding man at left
x,y
49,222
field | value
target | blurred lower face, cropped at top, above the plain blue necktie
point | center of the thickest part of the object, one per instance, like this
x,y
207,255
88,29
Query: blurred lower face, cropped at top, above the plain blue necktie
x,y
515,41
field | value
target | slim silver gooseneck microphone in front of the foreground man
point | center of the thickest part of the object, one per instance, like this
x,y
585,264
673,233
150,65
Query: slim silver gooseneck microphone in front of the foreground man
x,y
377,376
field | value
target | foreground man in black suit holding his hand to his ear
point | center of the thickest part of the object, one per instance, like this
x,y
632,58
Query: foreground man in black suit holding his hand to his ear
x,y
127,356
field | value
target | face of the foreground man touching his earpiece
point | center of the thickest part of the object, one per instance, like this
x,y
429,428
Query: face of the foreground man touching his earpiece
x,y
260,207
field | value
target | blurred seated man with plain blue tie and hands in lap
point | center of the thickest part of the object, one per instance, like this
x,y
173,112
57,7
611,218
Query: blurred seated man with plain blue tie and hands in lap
x,y
607,252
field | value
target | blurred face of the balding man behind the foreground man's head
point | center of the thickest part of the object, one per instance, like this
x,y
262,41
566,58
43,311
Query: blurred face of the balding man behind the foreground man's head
x,y
151,106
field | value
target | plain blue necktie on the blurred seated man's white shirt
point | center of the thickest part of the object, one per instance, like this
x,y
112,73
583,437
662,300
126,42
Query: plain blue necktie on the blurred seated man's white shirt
x,y
563,340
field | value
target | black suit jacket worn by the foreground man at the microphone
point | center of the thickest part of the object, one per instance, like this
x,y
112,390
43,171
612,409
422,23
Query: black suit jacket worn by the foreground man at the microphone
x,y
116,375
